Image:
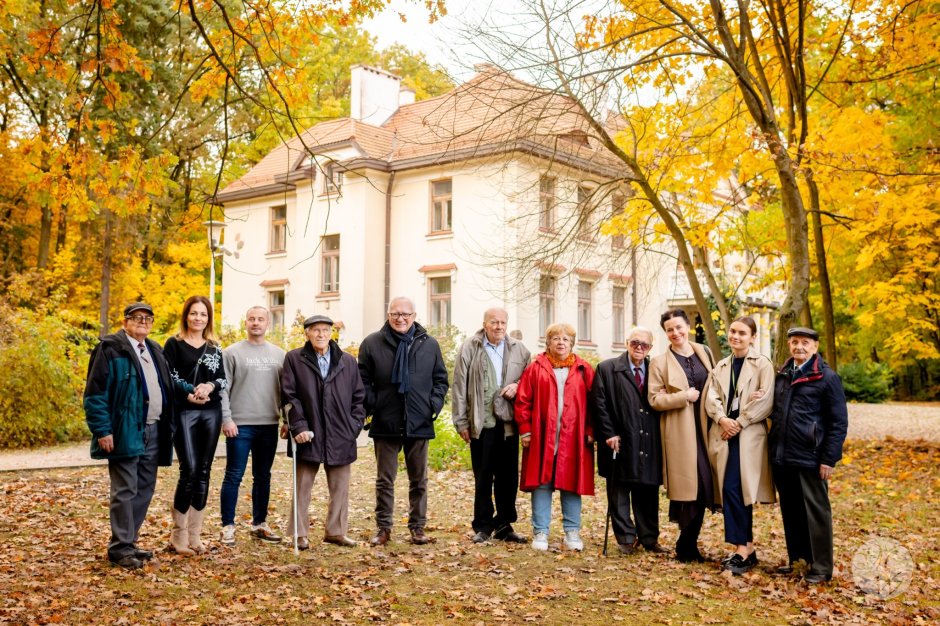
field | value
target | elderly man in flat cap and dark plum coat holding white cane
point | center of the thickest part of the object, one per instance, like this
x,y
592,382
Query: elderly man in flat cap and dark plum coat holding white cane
x,y
323,393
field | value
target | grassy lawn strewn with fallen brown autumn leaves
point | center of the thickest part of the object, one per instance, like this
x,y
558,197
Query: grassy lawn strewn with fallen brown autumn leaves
x,y
54,528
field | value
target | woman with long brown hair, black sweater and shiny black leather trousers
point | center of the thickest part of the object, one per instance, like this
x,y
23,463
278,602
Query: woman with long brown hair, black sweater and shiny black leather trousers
x,y
195,361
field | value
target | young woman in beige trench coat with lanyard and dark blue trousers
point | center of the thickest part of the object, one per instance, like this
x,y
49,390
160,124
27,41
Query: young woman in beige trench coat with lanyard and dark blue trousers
x,y
740,397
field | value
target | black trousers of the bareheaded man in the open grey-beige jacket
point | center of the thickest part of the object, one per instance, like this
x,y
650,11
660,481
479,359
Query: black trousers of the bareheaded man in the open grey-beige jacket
x,y
495,461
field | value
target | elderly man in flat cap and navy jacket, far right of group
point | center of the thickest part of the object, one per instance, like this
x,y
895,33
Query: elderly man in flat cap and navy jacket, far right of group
x,y
807,431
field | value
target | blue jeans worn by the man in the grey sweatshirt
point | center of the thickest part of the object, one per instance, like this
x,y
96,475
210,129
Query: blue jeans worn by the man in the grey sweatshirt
x,y
261,443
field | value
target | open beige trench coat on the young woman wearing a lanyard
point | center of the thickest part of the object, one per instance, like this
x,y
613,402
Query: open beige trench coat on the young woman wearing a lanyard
x,y
757,373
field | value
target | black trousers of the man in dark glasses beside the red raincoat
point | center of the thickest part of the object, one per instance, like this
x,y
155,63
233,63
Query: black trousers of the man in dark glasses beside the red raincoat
x,y
645,500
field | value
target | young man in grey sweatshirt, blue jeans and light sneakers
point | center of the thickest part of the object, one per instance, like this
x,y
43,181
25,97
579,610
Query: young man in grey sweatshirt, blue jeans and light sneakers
x,y
250,411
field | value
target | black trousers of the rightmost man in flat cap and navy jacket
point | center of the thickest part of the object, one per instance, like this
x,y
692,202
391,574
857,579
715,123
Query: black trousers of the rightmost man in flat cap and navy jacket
x,y
807,516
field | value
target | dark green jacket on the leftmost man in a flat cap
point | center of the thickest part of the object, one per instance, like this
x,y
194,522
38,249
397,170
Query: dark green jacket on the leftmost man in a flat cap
x,y
116,399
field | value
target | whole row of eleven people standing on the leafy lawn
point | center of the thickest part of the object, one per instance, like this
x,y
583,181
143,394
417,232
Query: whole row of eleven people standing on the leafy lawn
x,y
719,434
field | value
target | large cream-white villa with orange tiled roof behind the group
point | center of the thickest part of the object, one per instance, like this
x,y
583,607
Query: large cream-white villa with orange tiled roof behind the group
x,y
459,202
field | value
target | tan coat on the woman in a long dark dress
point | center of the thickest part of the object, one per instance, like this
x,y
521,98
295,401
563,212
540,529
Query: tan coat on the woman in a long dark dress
x,y
667,390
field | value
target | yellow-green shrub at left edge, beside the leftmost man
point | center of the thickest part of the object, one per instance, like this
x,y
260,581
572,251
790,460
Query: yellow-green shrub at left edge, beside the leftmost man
x,y
44,362
